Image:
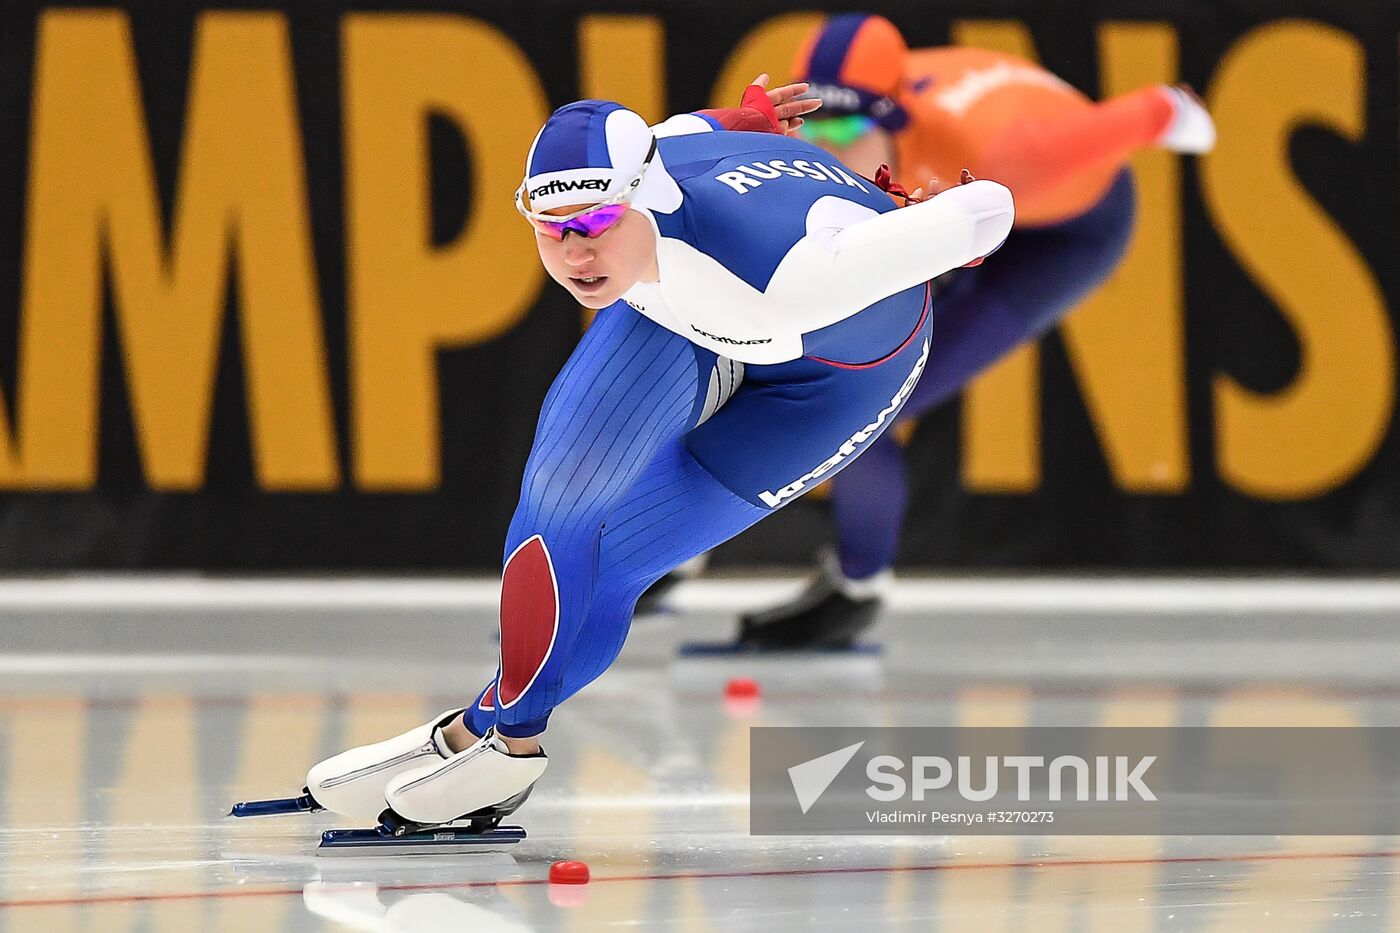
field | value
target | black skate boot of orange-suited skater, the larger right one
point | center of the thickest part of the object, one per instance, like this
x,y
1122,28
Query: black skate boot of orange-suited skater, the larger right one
x,y
829,616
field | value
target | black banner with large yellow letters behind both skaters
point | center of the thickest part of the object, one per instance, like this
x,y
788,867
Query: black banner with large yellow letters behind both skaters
x,y
265,303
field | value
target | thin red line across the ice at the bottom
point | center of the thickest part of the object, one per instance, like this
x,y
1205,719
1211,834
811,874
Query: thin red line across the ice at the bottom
x,y
701,876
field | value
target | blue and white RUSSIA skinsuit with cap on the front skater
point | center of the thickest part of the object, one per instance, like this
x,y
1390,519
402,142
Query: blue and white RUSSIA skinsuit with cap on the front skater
x,y
790,324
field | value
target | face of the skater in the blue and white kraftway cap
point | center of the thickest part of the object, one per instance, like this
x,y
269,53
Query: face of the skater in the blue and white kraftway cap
x,y
597,271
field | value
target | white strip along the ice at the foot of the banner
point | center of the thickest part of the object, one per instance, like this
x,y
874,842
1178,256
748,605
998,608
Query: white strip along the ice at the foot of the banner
x,y
981,595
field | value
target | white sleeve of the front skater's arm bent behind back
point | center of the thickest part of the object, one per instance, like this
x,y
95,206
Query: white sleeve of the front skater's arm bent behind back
x,y
853,257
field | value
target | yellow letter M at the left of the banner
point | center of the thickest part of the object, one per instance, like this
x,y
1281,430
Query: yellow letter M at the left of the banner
x,y
241,188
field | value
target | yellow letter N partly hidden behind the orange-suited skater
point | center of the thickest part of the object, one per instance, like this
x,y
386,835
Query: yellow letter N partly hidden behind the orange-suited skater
x,y
1126,341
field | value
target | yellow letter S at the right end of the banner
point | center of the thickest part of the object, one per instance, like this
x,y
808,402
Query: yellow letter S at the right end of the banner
x,y
1315,435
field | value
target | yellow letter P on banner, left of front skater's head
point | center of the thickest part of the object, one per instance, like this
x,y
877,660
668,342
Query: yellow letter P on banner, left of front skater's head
x,y
409,299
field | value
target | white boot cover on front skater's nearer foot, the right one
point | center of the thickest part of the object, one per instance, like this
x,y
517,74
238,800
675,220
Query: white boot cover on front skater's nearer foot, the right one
x,y
479,777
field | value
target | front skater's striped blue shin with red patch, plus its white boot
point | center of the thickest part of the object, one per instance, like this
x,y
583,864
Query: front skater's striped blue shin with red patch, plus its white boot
x,y
629,390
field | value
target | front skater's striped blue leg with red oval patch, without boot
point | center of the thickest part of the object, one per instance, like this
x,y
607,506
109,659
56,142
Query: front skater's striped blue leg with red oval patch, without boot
x,y
629,392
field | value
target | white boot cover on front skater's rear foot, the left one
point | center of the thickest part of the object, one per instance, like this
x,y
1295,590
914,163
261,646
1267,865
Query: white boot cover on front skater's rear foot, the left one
x,y
352,784
